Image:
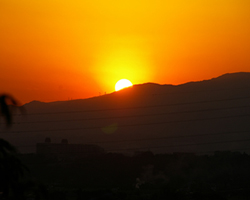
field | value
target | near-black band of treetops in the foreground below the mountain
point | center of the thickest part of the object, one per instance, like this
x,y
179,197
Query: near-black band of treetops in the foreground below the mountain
x,y
224,175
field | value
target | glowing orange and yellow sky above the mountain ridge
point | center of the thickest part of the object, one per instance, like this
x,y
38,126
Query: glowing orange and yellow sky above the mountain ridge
x,y
59,49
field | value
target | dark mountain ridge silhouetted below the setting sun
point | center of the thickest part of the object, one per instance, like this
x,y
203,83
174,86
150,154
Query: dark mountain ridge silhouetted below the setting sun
x,y
196,117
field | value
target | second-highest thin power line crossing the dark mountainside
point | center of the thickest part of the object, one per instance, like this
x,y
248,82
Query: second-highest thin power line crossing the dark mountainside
x,y
138,115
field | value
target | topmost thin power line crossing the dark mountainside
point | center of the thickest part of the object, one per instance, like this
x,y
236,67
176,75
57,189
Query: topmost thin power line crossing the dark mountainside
x,y
139,107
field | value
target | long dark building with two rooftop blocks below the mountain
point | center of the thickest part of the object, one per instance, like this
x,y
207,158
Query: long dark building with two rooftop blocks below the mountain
x,y
65,149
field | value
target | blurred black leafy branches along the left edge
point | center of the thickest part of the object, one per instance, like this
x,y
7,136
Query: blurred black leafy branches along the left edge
x,y
12,170
